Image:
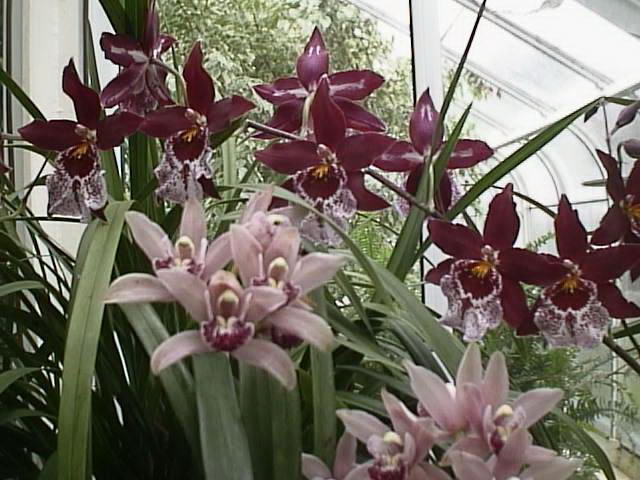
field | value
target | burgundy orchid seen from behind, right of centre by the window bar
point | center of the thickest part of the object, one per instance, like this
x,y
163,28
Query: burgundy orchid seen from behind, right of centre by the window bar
x,y
411,156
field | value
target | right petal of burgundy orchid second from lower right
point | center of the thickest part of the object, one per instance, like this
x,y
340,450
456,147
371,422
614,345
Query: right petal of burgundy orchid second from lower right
x,y
530,267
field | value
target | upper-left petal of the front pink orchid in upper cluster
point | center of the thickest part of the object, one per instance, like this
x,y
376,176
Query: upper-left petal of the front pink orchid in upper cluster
x,y
188,290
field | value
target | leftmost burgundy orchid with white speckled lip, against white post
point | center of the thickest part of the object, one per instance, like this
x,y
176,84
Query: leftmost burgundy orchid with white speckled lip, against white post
x,y
77,186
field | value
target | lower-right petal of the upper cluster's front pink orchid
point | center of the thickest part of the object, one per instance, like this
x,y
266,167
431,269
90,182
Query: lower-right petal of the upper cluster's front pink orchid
x,y
269,357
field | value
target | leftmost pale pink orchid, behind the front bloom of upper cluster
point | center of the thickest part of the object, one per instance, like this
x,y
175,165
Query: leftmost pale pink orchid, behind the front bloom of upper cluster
x,y
190,253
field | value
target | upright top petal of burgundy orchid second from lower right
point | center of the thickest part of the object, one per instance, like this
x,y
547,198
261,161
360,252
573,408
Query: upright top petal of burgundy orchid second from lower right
x,y
502,225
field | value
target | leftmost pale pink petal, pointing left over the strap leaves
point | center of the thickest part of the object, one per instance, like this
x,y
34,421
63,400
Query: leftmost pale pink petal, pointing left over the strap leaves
x,y
137,288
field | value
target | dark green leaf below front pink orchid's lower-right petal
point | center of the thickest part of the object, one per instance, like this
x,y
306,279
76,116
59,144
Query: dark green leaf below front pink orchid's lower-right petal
x,y
272,421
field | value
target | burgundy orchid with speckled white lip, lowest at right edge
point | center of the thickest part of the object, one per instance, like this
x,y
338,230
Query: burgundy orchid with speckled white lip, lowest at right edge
x,y
577,308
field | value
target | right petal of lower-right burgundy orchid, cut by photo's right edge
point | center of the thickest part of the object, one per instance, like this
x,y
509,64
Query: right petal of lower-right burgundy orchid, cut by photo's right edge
x,y
609,263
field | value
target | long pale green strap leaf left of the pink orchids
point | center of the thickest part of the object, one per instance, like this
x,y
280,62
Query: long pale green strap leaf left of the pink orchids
x,y
74,420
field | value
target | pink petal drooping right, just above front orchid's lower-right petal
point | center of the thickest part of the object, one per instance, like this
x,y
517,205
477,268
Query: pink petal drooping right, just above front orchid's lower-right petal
x,y
305,325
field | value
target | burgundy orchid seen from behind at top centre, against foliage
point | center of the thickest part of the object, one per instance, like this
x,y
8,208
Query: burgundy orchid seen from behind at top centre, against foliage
x,y
290,94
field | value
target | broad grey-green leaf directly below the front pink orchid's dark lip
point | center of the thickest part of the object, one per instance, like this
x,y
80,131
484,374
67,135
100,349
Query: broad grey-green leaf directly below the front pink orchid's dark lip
x,y
225,450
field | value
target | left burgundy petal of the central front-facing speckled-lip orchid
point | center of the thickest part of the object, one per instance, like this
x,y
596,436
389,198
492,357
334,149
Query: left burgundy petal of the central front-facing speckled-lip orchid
x,y
289,157
